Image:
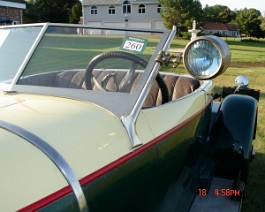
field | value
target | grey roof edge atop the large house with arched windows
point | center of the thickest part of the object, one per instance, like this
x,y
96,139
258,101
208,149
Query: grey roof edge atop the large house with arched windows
x,y
111,2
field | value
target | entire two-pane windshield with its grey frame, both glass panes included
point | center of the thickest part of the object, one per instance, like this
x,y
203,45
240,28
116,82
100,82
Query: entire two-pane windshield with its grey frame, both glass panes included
x,y
104,66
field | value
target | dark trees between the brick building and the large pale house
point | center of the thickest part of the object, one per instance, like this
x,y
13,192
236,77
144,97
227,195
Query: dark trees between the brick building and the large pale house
x,y
57,11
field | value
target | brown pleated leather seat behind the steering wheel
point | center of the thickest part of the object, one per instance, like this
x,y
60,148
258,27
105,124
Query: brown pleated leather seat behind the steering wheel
x,y
178,86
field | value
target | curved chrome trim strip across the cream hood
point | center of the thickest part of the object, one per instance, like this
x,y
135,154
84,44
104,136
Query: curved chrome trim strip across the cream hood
x,y
54,156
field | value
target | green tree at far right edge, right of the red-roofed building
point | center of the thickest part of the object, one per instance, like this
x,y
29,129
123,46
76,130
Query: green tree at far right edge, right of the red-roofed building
x,y
249,22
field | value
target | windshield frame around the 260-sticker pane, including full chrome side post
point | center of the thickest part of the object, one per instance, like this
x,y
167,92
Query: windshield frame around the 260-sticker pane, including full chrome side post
x,y
131,106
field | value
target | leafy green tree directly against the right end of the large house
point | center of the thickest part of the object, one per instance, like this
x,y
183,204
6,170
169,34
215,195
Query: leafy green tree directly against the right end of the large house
x,y
181,13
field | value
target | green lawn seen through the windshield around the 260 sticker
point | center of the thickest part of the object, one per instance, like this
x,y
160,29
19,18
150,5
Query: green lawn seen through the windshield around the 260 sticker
x,y
77,51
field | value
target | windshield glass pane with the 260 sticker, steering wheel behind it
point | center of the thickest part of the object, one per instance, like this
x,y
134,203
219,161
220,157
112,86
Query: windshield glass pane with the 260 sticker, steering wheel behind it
x,y
91,59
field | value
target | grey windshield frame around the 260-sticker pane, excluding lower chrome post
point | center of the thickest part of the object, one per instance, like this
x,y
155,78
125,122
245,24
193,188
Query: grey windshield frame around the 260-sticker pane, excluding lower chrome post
x,y
100,98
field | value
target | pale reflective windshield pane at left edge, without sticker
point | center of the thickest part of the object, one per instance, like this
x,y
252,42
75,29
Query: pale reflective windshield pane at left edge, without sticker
x,y
15,44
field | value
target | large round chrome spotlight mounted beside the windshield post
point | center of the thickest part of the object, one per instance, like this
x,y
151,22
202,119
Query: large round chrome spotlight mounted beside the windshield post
x,y
206,57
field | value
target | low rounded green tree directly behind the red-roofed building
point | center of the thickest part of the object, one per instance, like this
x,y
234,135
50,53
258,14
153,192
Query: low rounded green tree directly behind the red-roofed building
x,y
218,13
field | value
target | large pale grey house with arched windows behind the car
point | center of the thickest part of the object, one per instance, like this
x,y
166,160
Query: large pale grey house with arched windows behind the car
x,y
120,13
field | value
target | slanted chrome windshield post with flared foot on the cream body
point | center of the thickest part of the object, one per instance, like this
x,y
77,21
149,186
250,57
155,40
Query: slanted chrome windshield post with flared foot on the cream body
x,y
130,120
